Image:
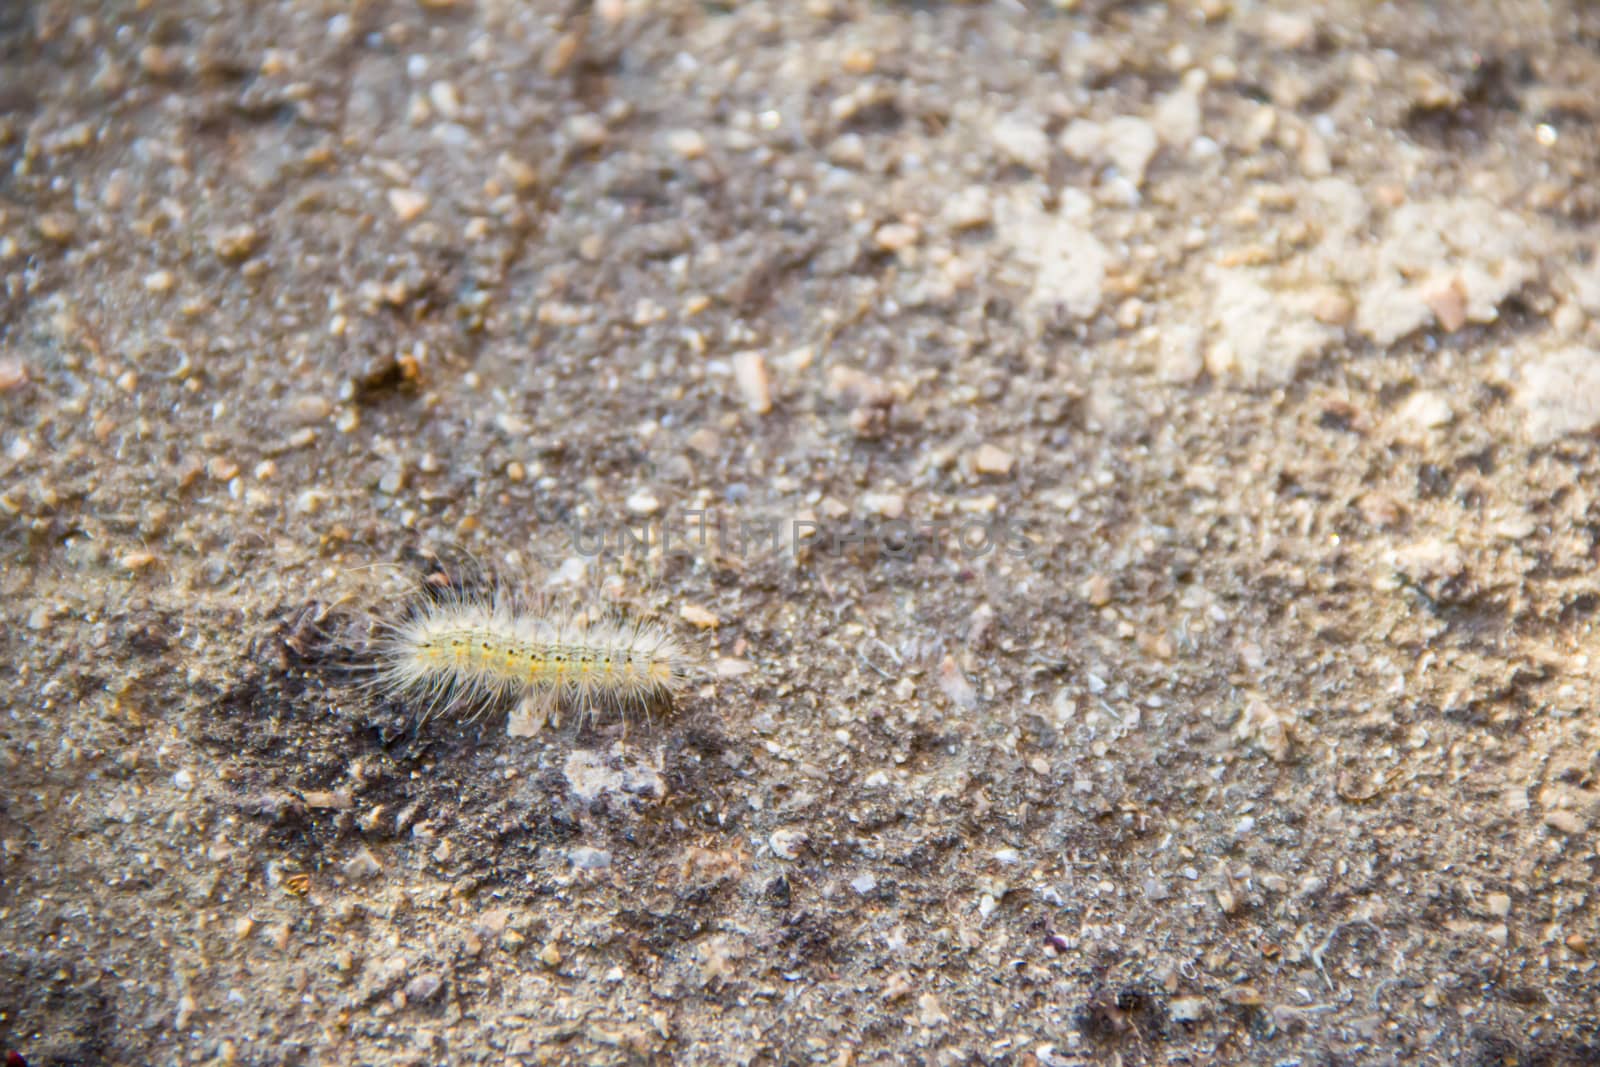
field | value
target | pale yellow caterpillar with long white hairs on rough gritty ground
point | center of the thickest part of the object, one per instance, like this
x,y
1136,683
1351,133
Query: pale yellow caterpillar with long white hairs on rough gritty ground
x,y
478,650
